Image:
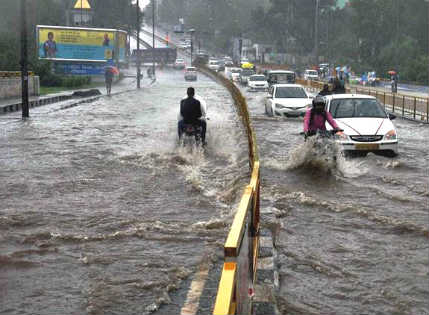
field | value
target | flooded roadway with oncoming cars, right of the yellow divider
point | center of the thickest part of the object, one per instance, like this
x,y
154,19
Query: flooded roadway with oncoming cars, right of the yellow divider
x,y
353,238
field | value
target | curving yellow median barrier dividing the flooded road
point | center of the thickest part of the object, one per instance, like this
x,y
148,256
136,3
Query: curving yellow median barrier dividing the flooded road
x,y
241,248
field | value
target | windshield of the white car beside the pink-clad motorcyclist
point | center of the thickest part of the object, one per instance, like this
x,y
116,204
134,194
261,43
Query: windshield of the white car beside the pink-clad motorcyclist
x,y
356,107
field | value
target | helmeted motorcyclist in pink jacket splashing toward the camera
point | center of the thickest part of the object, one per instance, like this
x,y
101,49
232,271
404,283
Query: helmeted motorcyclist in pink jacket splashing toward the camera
x,y
316,117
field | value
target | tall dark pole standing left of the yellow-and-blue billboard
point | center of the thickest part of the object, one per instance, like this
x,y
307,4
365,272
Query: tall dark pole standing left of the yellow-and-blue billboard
x,y
24,61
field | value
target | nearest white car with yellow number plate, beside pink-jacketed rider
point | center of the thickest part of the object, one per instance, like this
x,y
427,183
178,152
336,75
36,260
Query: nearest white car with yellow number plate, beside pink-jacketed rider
x,y
367,127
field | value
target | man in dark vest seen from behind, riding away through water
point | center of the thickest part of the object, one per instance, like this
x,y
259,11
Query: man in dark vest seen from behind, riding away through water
x,y
192,112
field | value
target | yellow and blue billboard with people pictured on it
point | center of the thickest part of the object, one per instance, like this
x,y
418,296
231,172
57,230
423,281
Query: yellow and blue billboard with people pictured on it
x,y
73,43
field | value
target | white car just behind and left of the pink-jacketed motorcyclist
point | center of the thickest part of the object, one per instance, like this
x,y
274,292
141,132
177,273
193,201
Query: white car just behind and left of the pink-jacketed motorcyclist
x,y
287,100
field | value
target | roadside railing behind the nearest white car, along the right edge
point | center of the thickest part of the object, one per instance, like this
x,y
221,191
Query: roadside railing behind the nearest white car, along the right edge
x,y
406,106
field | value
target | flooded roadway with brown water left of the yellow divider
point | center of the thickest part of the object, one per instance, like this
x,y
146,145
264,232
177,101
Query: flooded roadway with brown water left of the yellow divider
x,y
102,213
